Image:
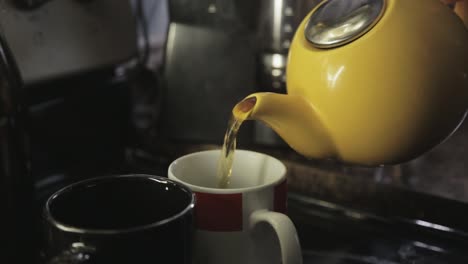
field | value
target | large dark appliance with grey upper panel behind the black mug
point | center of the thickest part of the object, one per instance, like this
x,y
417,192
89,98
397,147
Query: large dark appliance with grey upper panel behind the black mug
x,y
73,59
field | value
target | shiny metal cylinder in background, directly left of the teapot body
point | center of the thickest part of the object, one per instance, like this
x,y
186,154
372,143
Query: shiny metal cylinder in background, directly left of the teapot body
x,y
276,24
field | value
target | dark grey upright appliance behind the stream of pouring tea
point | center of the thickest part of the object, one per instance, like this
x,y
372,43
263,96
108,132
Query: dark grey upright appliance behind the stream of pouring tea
x,y
209,66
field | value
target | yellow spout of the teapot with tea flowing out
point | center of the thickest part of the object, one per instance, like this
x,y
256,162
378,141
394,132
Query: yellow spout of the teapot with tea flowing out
x,y
293,118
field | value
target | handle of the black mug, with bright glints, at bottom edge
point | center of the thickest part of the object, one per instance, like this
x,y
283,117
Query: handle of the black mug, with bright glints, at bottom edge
x,y
78,253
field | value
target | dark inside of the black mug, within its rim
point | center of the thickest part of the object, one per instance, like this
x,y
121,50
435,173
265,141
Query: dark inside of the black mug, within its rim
x,y
118,203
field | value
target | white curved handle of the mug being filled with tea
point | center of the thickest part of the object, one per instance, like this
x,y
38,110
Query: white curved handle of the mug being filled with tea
x,y
285,231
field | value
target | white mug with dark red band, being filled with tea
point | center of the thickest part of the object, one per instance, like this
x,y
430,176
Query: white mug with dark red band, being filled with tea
x,y
246,222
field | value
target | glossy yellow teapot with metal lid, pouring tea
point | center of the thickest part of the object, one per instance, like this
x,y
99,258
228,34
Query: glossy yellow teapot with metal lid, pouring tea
x,y
370,82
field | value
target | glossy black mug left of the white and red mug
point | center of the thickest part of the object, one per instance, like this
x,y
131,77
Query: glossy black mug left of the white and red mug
x,y
120,219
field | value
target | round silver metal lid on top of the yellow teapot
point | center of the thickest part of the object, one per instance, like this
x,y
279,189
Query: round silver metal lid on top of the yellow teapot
x,y
338,22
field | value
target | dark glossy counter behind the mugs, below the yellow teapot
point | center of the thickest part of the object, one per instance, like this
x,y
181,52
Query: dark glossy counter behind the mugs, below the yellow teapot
x,y
411,213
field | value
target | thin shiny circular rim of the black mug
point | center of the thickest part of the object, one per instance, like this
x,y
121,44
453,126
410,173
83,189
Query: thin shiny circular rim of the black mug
x,y
75,229
